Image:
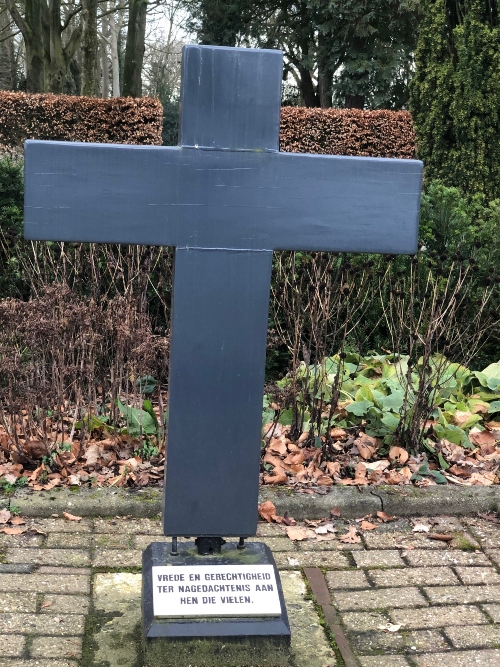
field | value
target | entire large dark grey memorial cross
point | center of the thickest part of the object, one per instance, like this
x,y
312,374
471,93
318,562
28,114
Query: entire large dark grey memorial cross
x,y
225,198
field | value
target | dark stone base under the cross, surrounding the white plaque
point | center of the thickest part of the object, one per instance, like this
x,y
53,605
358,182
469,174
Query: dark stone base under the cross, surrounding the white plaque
x,y
212,642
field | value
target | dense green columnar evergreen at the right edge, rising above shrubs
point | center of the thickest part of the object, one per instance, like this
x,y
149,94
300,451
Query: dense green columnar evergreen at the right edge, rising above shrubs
x,y
455,94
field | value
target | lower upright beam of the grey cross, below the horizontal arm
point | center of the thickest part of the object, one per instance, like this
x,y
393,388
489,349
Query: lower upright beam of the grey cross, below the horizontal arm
x,y
217,359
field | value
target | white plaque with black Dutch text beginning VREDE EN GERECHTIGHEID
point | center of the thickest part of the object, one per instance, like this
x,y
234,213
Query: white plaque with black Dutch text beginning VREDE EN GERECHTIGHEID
x,y
215,590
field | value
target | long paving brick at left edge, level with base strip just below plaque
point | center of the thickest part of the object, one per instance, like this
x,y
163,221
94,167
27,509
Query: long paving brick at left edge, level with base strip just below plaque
x,y
42,624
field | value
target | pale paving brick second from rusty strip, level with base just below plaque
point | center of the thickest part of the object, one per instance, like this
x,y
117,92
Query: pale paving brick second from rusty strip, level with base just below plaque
x,y
437,617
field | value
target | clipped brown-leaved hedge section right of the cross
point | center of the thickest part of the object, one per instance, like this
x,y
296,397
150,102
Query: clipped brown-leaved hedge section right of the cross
x,y
347,132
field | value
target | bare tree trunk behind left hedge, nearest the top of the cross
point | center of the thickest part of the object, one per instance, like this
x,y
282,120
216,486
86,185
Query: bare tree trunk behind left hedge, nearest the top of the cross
x,y
134,49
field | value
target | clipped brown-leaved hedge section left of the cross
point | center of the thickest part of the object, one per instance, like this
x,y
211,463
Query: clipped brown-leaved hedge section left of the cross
x,y
122,120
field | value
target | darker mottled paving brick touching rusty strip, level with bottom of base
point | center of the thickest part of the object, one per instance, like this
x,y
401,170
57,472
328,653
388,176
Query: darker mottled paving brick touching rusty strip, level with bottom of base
x,y
403,641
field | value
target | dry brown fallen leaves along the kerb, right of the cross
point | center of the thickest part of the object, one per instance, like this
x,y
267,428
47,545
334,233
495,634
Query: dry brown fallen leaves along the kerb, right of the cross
x,y
355,461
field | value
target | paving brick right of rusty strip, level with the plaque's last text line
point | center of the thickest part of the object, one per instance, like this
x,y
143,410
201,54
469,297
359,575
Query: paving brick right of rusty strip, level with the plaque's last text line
x,y
378,599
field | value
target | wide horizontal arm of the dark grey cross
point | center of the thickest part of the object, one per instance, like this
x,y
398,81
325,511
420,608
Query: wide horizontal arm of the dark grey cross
x,y
188,197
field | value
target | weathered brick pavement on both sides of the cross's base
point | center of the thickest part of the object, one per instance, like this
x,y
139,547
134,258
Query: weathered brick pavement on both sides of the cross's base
x,y
400,599
